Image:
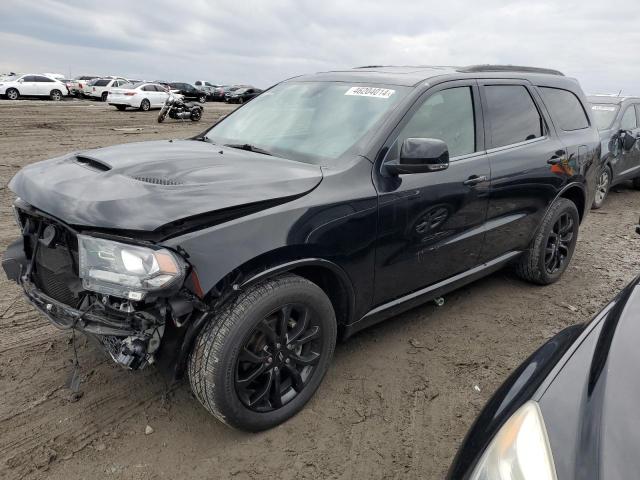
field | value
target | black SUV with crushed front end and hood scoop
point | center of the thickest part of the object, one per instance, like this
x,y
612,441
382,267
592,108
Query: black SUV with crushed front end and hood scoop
x,y
327,204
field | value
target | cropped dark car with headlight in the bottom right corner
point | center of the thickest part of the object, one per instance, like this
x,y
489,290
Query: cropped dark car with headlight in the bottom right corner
x,y
570,411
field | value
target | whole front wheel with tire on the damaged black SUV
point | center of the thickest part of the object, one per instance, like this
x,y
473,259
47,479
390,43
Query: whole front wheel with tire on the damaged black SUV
x,y
262,357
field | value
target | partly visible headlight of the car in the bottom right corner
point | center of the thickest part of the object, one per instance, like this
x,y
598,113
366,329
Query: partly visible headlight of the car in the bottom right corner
x,y
519,451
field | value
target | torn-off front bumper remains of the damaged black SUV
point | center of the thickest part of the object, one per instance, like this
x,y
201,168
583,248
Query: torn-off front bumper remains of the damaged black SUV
x,y
131,333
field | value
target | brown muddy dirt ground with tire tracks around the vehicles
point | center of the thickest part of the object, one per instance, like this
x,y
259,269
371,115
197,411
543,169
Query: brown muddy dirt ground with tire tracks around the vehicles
x,y
395,404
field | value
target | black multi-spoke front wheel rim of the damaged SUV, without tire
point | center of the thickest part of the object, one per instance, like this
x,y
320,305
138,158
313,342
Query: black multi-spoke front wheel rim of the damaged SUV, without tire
x,y
278,359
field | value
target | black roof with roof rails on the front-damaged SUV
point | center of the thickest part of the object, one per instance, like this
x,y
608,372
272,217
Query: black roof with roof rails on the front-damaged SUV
x,y
413,75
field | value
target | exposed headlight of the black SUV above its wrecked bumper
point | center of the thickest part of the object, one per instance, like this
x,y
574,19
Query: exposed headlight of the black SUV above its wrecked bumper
x,y
126,271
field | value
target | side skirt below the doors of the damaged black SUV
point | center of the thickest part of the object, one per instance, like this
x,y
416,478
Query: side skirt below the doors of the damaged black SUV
x,y
407,302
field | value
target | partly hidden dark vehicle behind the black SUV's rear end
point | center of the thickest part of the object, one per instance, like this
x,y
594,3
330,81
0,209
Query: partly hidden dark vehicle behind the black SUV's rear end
x,y
618,120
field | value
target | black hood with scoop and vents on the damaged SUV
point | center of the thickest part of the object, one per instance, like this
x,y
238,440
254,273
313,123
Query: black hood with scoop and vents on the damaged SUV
x,y
144,186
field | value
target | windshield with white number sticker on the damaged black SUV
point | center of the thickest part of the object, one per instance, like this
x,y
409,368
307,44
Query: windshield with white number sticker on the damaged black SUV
x,y
313,122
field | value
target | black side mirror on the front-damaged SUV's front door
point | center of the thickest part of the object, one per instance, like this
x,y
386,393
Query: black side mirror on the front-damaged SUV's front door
x,y
420,155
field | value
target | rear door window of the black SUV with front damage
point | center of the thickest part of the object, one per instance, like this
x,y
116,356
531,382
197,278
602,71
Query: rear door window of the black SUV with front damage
x,y
513,116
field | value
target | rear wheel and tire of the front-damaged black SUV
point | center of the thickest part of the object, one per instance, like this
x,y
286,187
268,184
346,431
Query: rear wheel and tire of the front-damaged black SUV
x,y
552,248
